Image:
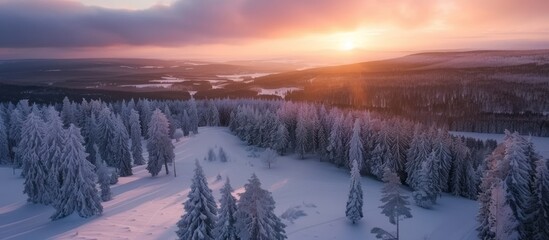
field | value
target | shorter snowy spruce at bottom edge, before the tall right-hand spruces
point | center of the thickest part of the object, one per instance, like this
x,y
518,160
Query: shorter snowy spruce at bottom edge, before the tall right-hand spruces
x,y
503,222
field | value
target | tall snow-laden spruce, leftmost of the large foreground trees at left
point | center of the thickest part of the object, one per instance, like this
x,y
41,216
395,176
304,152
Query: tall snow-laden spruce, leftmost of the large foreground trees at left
x,y
34,167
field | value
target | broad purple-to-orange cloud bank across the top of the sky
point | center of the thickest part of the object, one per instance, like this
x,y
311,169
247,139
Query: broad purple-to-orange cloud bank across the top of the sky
x,y
64,23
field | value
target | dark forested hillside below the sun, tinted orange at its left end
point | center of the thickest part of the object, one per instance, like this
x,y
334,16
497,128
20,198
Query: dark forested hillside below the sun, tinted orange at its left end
x,y
474,99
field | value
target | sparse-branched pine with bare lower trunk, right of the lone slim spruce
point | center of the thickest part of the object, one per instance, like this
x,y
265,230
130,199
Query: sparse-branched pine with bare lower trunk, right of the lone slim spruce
x,y
395,203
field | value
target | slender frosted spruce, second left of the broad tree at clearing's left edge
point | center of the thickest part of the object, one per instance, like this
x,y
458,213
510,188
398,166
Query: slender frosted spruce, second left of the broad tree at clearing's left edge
x,y
121,150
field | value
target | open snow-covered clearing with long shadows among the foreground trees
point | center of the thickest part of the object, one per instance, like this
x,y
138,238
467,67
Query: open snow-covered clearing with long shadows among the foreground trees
x,y
144,207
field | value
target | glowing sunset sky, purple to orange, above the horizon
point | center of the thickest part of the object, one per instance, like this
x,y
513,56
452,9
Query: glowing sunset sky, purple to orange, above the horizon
x,y
248,29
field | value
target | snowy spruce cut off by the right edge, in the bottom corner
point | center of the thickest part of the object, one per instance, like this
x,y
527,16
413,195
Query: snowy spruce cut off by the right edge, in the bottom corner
x,y
539,202
